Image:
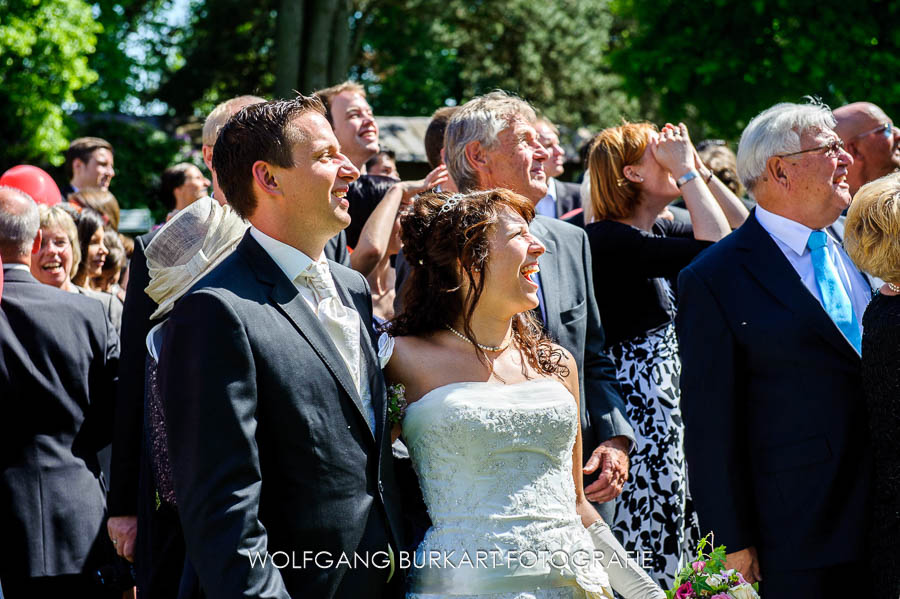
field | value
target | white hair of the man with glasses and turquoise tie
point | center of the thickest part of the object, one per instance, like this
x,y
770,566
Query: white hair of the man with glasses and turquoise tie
x,y
777,130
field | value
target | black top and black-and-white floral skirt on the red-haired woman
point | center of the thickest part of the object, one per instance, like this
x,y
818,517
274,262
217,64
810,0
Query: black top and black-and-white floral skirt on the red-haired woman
x,y
633,273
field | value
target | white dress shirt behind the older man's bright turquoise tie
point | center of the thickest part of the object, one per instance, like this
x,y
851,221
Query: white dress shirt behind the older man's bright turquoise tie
x,y
791,237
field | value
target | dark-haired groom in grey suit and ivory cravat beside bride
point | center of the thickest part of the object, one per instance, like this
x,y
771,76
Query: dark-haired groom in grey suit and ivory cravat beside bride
x,y
274,398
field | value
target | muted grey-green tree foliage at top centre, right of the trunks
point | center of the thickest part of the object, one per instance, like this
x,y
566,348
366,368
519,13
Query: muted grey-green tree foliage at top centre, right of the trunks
x,y
427,52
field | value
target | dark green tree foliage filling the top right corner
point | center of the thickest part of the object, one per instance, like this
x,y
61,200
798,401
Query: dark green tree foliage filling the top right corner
x,y
717,63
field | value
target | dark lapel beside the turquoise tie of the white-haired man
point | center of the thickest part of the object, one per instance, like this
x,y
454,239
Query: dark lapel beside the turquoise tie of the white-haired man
x,y
767,264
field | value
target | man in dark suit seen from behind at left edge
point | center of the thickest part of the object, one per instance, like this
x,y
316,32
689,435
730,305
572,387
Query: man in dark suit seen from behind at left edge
x,y
59,355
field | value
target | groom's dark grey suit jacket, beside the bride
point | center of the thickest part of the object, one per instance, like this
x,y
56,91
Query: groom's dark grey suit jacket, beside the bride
x,y
269,447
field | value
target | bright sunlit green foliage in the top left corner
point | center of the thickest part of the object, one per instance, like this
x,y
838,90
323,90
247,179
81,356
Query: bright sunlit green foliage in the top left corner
x,y
43,61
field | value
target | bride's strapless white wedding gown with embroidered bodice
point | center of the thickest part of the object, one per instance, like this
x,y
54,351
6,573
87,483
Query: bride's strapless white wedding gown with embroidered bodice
x,y
495,465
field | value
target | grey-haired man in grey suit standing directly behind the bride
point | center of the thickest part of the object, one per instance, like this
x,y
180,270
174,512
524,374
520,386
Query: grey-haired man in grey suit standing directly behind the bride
x,y
478,158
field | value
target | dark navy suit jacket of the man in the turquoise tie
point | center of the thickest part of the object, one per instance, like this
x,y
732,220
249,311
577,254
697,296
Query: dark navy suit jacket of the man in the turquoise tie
x,y
776,434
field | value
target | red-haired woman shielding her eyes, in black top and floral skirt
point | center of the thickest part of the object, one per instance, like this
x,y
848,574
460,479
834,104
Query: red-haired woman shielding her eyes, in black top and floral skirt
x,y
635,172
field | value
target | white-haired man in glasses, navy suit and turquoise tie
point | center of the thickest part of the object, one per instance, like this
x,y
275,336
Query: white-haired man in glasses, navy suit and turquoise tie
x,y
769,329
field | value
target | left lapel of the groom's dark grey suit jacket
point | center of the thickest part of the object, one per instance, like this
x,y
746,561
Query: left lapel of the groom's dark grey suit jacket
x,y
285,297
